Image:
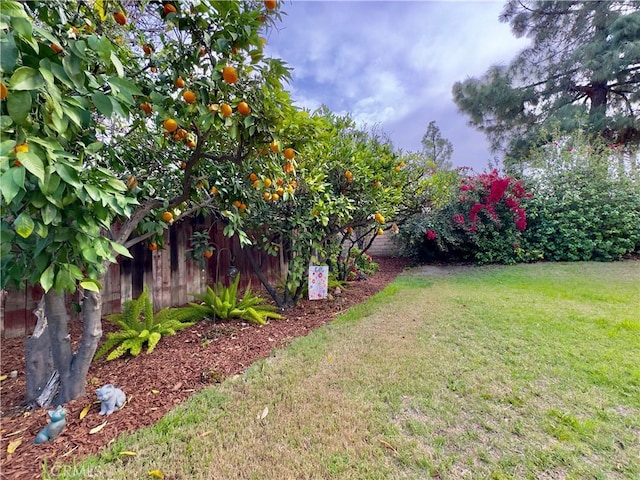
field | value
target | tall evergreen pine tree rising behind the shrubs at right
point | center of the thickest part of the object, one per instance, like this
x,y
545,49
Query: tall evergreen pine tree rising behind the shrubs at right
x,y
582,69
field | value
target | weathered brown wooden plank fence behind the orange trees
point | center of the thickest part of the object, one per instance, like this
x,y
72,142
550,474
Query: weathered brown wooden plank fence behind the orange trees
x,y
171,274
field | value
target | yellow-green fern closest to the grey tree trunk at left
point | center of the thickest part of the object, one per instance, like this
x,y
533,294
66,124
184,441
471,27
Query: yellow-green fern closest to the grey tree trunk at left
x,y
139,325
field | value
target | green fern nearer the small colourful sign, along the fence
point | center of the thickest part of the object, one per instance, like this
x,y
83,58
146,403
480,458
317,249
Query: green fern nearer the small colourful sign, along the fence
x,y
222,302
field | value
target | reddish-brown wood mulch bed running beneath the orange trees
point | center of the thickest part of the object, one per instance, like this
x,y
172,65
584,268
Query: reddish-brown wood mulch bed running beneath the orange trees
x,y
193,359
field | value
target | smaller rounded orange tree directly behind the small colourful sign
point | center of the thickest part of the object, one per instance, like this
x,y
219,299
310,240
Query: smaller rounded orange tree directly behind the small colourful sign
x,y
332,181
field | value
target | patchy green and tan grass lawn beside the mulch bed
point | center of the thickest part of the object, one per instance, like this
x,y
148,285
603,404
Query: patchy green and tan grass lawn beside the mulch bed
x,y
520,372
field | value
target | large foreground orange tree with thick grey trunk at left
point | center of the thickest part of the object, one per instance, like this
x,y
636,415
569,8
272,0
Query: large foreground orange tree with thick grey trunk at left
x,y
114,123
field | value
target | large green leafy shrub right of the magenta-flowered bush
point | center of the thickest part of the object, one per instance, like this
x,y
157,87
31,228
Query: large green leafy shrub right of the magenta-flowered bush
x,y
587,201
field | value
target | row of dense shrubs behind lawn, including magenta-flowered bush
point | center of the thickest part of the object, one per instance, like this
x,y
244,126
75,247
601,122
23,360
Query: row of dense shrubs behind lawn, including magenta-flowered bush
x,y
576,198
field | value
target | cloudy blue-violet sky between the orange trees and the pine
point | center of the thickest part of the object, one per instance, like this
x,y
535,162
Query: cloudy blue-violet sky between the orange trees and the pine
x,y
391,64
